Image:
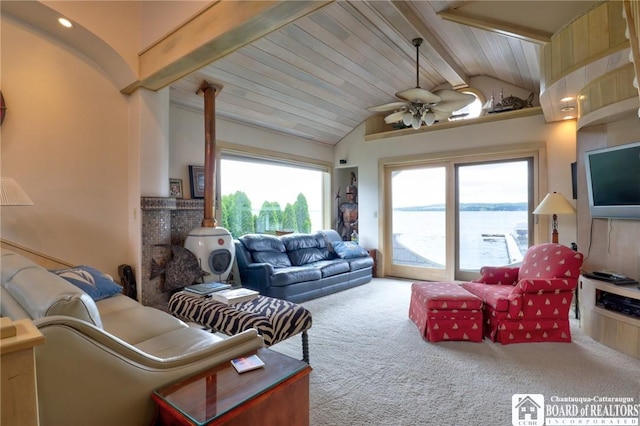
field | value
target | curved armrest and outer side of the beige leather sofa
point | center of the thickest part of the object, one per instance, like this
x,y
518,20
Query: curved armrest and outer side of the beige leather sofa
x,y
107,381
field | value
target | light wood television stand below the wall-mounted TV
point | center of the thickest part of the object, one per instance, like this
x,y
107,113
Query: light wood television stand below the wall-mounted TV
x,y
608,315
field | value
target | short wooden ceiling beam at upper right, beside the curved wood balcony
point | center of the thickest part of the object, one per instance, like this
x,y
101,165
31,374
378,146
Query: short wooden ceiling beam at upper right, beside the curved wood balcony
x,y
496,26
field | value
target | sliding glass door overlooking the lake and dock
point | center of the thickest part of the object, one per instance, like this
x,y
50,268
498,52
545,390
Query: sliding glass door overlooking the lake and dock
x,y
448,219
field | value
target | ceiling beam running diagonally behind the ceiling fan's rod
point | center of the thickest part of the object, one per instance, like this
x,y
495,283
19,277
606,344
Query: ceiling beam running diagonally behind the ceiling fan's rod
x,y
401,17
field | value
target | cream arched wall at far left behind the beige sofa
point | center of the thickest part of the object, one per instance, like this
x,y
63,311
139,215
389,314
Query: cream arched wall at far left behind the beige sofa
x,y
65,140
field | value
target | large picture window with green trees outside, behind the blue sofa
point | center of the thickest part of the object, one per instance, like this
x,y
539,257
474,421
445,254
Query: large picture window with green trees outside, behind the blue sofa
x,y
267,196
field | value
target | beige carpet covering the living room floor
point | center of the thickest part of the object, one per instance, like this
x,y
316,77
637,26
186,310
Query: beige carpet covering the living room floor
x,y
371,367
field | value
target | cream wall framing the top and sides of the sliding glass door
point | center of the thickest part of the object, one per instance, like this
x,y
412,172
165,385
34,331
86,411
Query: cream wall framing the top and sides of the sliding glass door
x,y
559,137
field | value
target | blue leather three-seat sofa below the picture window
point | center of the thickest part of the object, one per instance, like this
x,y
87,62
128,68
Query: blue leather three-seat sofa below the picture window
x,y
299,267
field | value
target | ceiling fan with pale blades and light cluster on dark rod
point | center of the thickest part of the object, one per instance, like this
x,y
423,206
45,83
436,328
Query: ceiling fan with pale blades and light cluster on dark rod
x,y
421,106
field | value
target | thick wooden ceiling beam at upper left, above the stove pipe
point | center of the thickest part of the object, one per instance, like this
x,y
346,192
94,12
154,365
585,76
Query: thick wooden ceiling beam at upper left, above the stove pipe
x,y
215,32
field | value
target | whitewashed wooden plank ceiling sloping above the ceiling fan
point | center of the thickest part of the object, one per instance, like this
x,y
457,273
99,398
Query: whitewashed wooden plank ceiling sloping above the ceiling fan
x,y
314,78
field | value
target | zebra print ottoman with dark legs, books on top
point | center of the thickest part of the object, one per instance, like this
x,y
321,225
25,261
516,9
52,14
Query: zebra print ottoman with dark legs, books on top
x,y
275,319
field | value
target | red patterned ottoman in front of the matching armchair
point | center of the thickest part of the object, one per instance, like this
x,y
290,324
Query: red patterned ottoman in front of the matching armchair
x,y
445,311
